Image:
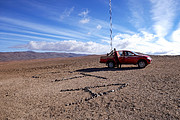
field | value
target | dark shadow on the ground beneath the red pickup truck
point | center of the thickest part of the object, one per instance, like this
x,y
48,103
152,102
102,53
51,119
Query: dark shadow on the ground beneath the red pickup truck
x,y
106,69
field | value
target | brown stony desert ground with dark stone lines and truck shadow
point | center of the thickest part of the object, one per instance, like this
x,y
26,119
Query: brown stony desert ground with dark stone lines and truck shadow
x,y
81,88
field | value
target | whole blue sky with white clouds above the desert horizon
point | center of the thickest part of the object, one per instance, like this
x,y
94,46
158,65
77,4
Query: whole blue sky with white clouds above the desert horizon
x,y
82,26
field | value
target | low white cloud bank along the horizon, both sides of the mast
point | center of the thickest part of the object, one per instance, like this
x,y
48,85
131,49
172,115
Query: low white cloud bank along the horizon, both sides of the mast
x,y
143,42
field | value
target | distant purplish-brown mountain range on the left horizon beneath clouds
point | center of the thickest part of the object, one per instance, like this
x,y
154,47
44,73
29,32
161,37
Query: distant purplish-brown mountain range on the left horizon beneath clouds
x,y
28,55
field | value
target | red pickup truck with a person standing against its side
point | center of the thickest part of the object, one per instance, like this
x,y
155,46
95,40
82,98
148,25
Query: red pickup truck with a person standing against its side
x,y
116,58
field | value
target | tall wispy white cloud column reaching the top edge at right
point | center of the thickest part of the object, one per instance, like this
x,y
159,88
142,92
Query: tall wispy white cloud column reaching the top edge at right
x,y
163,13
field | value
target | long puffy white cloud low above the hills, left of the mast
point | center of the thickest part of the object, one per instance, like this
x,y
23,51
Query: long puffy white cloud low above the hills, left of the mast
x,y
68,46
